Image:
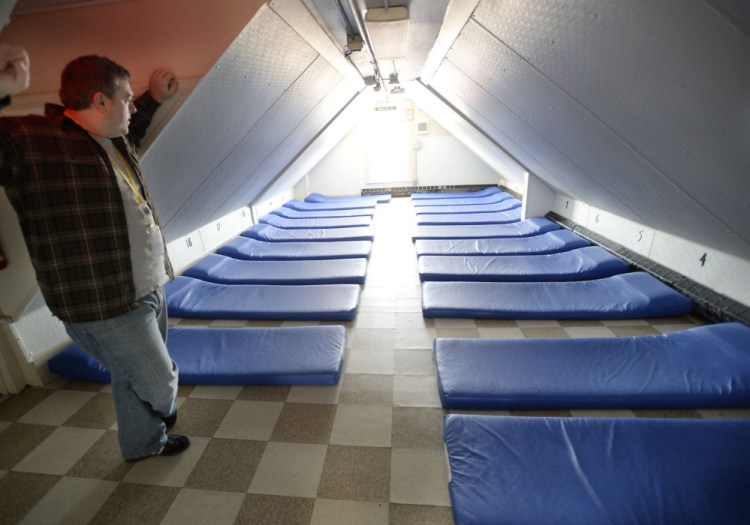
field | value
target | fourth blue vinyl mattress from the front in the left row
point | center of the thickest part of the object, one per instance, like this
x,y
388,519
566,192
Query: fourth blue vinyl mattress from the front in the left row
x,y
252,249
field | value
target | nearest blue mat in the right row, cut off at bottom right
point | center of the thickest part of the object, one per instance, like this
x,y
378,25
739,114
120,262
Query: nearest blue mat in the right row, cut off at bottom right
x,y
532,470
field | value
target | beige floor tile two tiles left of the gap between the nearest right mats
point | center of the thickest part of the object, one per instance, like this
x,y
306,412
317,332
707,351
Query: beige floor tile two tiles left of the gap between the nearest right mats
x,y
362,425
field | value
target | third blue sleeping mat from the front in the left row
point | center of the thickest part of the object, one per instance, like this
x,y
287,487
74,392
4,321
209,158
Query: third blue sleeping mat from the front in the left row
x,y
227,270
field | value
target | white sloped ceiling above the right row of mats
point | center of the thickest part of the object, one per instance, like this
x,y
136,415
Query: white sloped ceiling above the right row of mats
x,y
641,108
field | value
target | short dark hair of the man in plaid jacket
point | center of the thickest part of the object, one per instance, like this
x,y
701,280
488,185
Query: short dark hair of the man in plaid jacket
x,y
87,75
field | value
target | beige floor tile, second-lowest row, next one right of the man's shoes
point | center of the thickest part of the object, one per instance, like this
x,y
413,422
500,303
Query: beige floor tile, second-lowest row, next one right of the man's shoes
x,y
289,469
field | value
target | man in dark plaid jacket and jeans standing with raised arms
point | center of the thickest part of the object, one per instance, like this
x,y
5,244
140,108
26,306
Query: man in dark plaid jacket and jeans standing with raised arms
x,y
74,180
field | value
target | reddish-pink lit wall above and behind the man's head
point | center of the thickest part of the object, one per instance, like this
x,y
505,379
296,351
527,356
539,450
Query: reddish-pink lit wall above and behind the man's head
x,y
186,36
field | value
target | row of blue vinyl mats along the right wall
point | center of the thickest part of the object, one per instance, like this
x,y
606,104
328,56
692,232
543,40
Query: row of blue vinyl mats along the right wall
x,y
479,262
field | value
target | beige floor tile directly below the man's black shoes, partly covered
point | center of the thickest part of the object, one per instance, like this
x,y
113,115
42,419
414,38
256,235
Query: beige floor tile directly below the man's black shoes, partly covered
x,y
170,471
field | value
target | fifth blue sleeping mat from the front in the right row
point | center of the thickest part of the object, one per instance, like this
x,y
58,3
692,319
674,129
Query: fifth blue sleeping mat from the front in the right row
x,y
550,242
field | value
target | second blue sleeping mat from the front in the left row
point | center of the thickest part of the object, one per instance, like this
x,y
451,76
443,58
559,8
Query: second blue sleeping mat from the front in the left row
x,y
193,298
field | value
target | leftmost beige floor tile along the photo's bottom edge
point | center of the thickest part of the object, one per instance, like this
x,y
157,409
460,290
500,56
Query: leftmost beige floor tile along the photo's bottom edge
x,y
71,501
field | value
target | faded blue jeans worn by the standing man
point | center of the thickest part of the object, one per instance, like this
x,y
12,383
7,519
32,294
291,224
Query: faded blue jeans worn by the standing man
x,y
133,348
